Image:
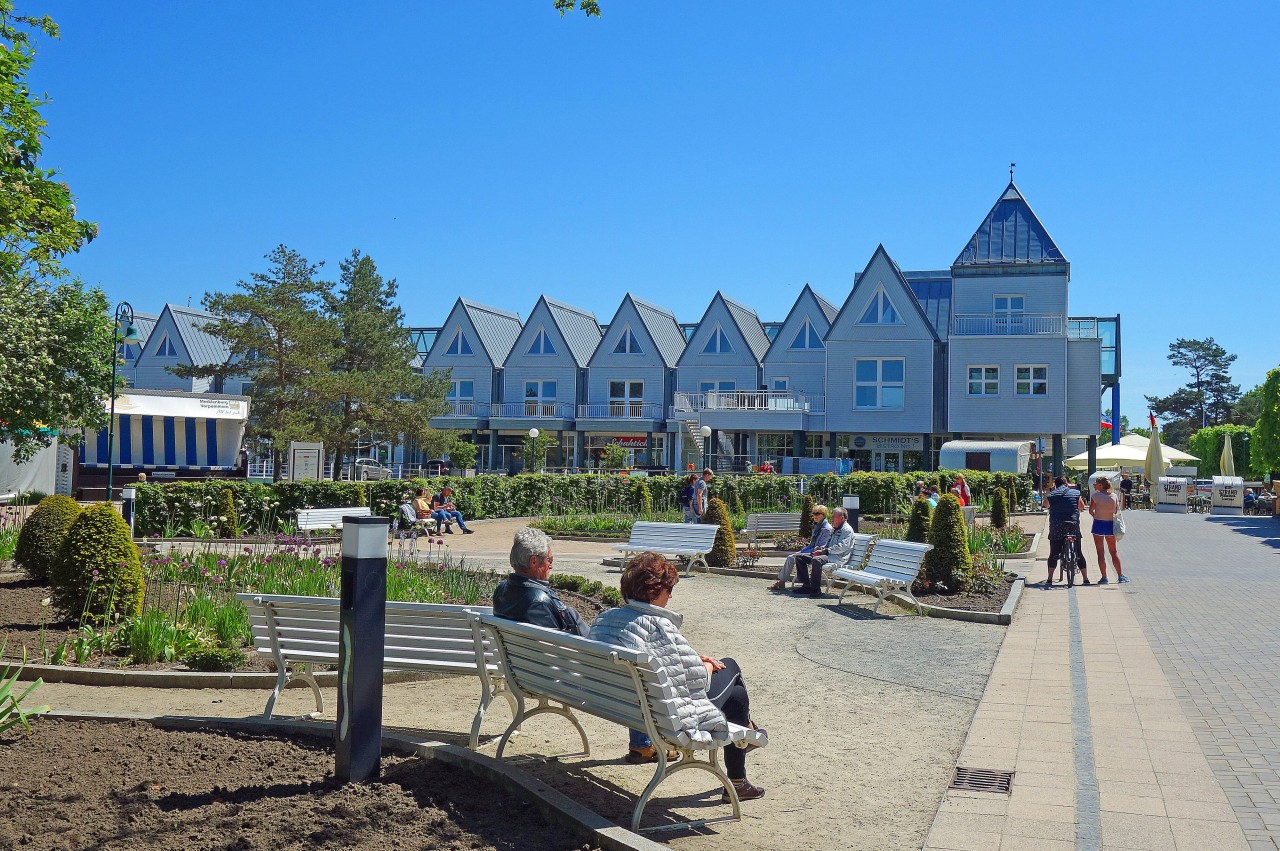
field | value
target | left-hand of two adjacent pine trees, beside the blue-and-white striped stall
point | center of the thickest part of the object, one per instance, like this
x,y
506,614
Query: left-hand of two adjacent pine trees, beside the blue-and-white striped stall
x,y
281,342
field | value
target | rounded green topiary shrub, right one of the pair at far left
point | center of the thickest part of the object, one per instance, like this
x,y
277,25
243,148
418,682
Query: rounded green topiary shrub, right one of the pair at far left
x,y
98,573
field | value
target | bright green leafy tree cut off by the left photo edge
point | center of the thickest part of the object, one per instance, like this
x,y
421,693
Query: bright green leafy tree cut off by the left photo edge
x,y
56,363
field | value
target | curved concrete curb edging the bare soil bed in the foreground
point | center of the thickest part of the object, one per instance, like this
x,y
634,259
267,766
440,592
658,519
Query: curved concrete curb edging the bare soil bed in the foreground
x,y
555,806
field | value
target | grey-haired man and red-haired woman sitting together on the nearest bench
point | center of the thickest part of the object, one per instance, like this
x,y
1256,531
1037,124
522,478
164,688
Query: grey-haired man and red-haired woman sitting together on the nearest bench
x,y
712,690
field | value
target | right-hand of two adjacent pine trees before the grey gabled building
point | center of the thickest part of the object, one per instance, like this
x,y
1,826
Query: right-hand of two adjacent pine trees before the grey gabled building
x,y
372,387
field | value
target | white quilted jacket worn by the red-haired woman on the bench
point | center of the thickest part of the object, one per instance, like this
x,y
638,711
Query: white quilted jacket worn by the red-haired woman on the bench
x,y
655,630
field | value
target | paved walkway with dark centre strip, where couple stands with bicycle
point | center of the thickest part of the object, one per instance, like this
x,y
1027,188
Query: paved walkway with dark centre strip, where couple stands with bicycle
x,y
1142,716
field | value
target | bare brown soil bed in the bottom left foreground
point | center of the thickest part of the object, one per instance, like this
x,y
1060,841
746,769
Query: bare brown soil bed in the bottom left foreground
x,y
76,785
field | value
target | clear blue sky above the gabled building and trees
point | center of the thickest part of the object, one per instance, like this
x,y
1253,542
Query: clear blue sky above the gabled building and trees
x,y
676,149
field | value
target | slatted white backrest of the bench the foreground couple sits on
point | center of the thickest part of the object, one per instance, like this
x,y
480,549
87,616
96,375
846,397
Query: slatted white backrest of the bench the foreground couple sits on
x,y
584,675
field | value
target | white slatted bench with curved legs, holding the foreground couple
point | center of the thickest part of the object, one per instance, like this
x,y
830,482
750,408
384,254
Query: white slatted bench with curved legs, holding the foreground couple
x,y
565,674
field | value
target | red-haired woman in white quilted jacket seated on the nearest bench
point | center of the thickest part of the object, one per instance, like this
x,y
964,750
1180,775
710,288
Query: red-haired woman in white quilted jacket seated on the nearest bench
x,y
714,688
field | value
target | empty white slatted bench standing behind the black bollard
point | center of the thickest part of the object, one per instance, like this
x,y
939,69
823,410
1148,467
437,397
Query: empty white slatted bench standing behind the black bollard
x,y
419,637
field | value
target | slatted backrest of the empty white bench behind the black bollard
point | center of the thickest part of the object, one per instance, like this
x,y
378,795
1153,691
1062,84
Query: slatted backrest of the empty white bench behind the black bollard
x,y
418,635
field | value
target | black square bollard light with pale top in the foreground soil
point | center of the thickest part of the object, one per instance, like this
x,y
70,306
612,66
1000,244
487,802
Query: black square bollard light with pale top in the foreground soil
x,y
363,620
